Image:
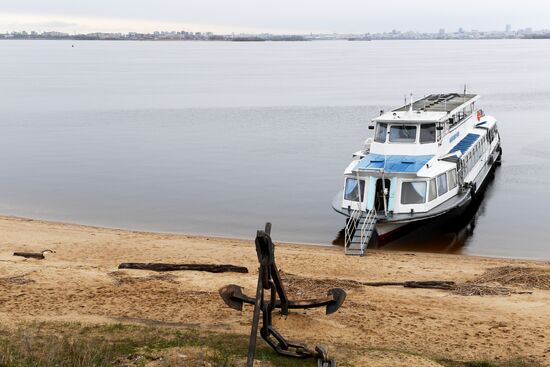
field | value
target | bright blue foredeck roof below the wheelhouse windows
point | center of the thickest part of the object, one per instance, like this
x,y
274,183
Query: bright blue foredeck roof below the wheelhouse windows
x,y
393,163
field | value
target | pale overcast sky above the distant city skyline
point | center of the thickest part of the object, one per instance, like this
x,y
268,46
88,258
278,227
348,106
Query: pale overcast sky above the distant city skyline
x,y
282,16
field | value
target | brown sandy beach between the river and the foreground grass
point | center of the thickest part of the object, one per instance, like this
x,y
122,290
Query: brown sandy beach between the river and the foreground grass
x,y
383,326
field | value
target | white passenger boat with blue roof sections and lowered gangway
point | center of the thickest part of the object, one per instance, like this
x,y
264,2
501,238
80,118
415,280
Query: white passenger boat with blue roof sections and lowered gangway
x,y
426,159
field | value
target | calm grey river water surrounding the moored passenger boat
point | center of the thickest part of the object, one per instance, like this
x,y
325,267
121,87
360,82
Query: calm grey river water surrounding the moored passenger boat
x,y
218,137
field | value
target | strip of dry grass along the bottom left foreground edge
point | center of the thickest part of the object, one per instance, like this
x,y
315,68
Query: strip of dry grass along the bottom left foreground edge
x,y
124,345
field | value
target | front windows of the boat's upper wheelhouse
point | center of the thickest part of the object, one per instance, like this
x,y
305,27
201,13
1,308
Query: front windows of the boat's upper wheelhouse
x,y
404,133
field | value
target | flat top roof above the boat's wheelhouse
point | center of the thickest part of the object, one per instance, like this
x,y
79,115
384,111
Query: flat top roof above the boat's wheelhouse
x,y
435,107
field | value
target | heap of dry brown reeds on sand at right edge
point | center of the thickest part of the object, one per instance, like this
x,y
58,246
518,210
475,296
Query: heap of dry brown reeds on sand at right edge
x,y
517,276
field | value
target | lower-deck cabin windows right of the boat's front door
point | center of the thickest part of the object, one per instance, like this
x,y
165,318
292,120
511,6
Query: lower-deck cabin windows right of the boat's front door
x,y
414,192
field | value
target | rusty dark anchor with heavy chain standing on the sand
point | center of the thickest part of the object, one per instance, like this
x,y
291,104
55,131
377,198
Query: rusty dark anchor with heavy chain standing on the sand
x,y
269,280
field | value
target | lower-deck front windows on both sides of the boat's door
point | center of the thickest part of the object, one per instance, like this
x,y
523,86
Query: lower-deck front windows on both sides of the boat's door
x,y
412,192
